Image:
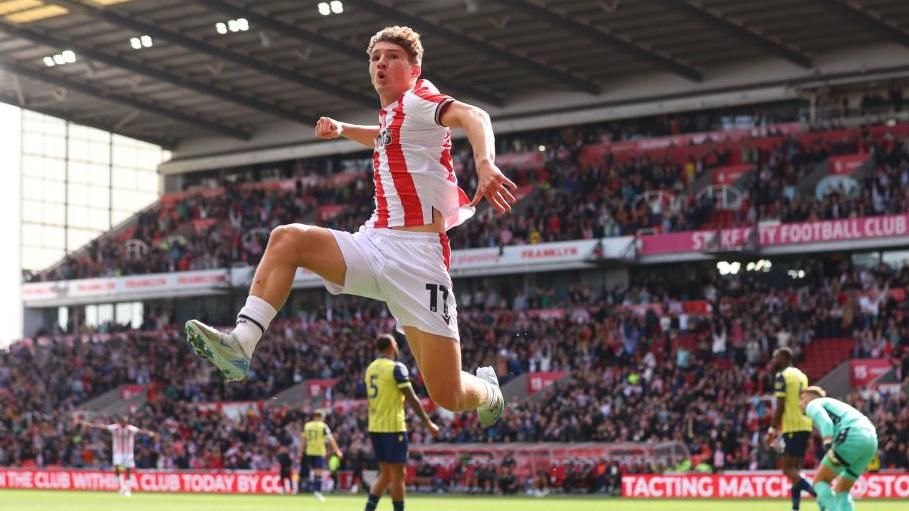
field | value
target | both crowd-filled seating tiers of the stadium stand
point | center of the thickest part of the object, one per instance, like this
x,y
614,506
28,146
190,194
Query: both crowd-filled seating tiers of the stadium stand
x,y
659,353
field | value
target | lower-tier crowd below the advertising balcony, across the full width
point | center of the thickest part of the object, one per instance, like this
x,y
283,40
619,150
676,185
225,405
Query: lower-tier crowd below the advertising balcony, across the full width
x,y
638,356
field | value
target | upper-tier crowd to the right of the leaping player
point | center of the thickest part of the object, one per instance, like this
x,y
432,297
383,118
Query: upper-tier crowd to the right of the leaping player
x,y
587,200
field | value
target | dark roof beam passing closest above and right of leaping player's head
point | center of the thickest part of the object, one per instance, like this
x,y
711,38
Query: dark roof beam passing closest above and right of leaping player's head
x,y
477,45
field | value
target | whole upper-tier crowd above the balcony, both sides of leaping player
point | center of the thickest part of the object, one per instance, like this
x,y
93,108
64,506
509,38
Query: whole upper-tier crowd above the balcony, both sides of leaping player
x,y
583,198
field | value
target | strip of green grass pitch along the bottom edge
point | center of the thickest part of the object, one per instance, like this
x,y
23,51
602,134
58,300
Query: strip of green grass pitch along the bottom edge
x,y
25,500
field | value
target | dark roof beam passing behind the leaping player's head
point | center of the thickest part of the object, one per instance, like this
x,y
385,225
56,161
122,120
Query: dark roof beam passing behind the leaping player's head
x,y
301,33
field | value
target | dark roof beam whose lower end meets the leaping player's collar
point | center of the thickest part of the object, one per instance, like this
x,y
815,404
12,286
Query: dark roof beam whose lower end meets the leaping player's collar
x,y
196,45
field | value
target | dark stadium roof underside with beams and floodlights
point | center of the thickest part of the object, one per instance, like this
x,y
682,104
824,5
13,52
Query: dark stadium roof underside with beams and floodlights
x,y
229,67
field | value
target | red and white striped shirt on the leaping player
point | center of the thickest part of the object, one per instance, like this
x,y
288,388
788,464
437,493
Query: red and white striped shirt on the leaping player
x,y
413,171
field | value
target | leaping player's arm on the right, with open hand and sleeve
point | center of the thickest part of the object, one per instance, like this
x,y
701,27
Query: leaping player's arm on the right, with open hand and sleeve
x,y
491,183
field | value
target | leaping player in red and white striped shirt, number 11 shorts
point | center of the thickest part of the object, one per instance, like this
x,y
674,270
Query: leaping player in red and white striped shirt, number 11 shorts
x,y
401,254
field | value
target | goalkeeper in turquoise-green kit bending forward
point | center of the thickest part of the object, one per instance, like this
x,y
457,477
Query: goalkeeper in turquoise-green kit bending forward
x,y
850,441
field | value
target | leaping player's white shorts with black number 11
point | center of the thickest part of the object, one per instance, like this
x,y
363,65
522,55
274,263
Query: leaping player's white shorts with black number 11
x,y
406,270
